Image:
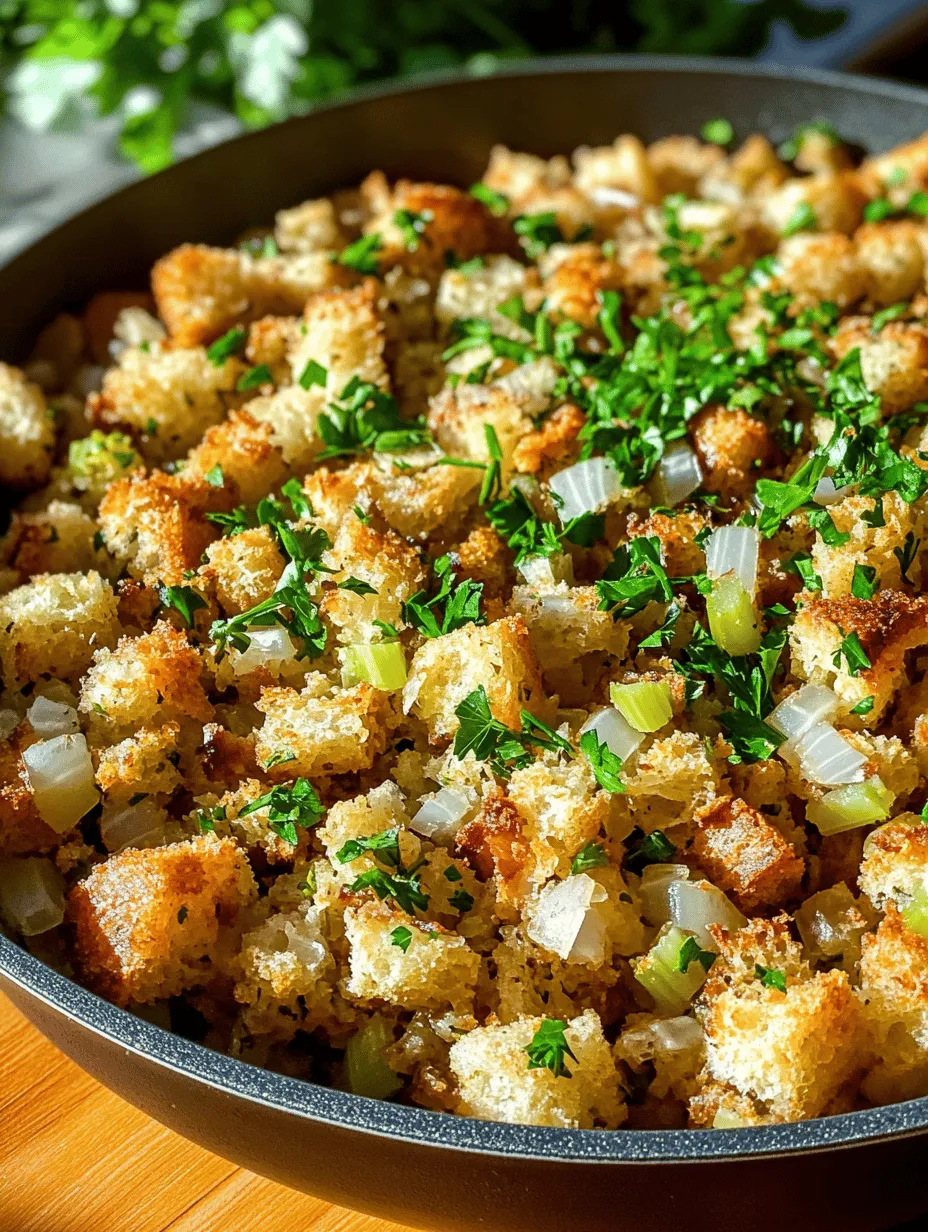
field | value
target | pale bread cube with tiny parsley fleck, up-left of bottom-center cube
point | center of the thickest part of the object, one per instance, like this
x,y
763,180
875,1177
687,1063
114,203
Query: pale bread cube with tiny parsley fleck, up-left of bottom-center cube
x,y
436,971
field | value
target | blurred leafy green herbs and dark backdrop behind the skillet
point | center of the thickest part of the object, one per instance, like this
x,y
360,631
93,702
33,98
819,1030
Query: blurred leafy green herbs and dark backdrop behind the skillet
x,y
147,61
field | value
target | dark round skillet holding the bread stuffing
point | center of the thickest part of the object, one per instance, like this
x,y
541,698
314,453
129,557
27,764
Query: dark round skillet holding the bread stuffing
x,y
863,1171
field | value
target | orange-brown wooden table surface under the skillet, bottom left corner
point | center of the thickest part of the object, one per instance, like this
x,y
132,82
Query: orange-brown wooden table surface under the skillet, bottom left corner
x,y
76,1159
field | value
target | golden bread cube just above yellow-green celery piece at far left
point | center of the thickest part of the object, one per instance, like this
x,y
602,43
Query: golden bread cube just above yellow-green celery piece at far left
x,y
166,399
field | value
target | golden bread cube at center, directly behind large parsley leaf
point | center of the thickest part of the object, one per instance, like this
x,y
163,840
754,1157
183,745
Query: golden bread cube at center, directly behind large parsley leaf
x,y
447,670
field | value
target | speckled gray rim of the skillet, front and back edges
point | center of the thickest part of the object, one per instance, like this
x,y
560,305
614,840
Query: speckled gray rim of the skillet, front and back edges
x,y
410,1124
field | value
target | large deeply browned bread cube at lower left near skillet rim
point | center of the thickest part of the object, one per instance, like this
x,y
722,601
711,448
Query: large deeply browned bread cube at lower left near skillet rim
x,y
152,923
